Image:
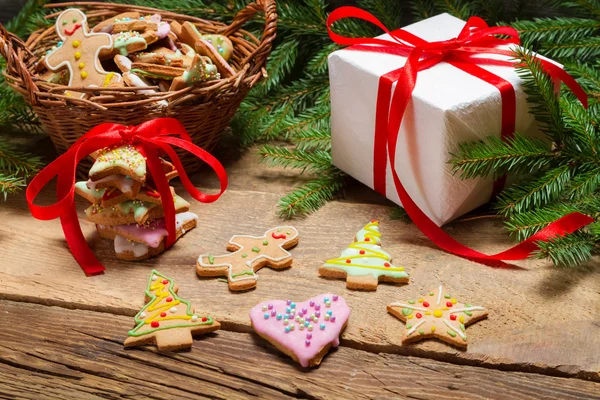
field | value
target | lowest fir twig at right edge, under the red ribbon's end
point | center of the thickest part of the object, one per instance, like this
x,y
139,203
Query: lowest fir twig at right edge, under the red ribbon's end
x,y
568,250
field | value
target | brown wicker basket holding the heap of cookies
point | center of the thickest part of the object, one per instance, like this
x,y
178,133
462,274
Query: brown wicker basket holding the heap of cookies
x,y
205,110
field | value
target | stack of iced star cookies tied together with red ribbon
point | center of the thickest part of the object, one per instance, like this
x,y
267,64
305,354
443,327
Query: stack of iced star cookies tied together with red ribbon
x,y
126,207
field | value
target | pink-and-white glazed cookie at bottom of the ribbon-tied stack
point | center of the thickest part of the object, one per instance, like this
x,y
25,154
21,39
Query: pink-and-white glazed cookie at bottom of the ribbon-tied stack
x,y
138,242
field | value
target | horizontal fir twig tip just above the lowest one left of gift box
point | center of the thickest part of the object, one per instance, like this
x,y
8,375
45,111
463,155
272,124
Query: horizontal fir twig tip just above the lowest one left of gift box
x,y
307,161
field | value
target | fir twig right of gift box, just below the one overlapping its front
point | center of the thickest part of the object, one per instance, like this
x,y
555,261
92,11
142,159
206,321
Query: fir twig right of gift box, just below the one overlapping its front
x,y
539,192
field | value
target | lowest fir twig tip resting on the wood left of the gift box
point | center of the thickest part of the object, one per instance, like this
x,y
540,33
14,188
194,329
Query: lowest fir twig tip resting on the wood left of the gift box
x,y
310,197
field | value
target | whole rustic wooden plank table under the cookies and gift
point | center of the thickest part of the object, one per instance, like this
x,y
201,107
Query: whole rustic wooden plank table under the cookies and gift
x,y
61,333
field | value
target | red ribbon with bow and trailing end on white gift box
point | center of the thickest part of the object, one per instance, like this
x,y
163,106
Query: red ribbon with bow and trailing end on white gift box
x,y
463,52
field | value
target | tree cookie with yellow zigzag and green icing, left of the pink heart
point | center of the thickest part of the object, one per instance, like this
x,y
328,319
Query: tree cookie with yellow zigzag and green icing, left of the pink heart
x,y
167,320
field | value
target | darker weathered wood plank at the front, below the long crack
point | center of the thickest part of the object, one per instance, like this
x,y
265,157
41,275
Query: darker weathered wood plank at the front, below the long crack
x,y
65,354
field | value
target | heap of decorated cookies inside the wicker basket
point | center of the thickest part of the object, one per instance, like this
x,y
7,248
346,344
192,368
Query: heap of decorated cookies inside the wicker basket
x,y
134,50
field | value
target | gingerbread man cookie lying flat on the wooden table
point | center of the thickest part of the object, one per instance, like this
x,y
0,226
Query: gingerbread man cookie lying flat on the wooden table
x,y
250,253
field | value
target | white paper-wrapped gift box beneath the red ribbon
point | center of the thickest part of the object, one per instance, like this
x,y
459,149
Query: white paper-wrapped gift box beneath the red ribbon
x,y
448,106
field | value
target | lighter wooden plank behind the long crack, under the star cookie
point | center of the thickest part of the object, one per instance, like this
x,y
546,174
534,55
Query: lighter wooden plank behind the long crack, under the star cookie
x,y
541,319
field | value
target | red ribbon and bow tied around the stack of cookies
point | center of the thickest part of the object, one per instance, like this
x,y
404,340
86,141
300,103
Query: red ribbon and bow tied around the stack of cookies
x,y
151,139
